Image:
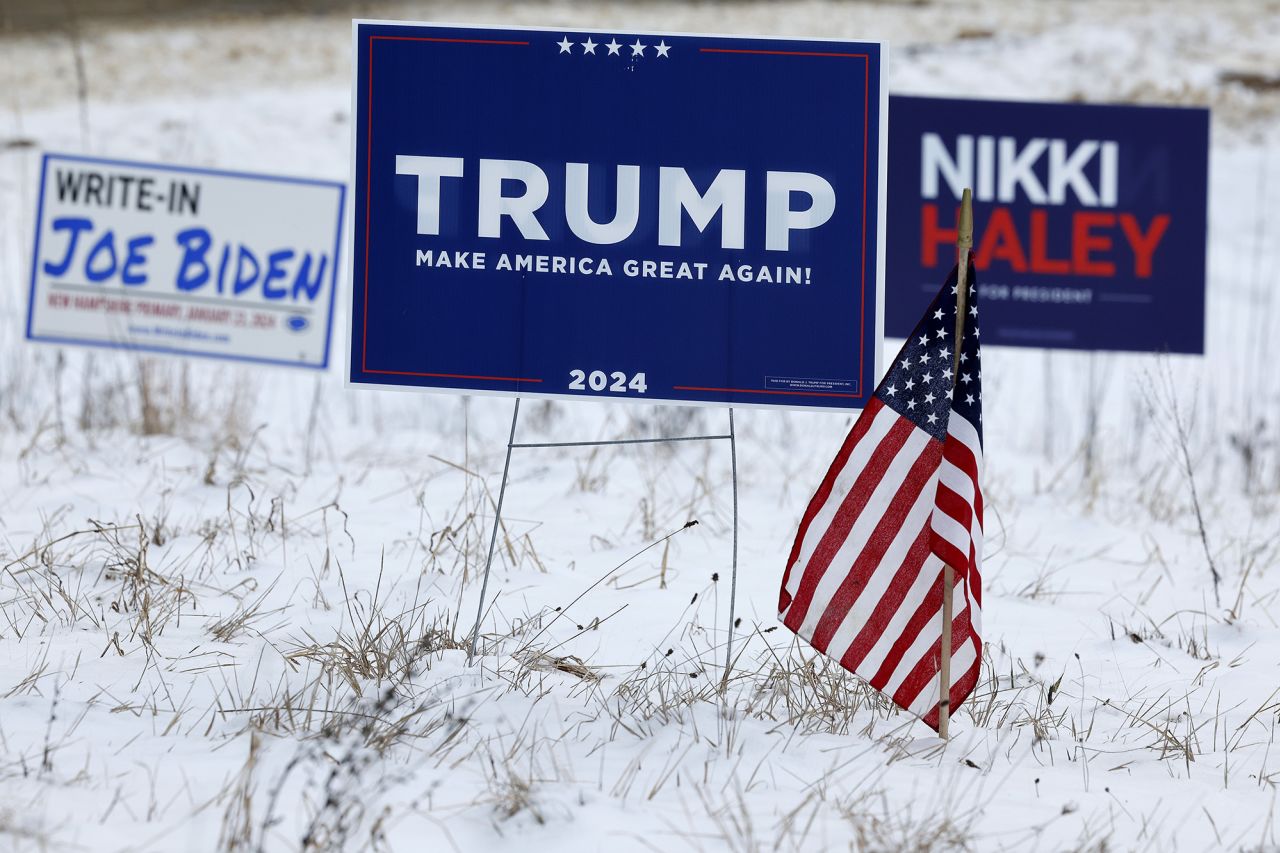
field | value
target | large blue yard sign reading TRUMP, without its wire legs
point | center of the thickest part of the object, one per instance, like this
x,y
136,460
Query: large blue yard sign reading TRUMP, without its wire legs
x,y
623,216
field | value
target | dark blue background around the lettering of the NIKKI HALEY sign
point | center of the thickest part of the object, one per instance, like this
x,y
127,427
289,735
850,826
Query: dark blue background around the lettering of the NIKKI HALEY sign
x,y
1163,171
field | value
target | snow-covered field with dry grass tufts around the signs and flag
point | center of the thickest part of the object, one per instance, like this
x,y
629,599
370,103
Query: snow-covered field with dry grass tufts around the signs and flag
x,y
234,604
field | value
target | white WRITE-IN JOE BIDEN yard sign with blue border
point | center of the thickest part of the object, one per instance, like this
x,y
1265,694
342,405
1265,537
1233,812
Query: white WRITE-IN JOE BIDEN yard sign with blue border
x,y
185,262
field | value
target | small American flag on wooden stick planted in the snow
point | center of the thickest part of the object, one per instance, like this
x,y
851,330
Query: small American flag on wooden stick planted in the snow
x,y
865,580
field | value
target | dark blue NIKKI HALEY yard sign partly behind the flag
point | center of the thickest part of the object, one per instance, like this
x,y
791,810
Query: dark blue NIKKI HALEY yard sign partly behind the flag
x,y
1090,222
